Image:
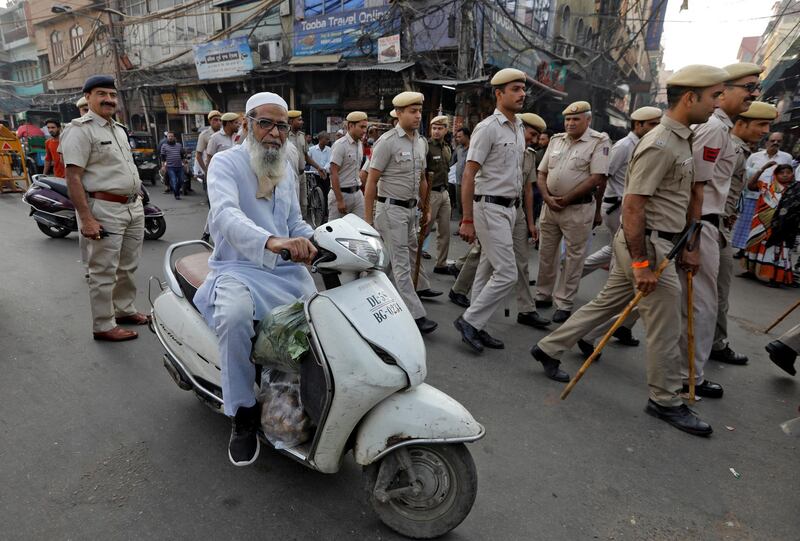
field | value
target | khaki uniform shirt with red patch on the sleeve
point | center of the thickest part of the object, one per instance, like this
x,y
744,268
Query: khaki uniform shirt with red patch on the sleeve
x,y
714,160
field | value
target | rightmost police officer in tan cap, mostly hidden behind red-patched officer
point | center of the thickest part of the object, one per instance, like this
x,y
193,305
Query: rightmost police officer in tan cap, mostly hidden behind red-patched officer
x,y
748,128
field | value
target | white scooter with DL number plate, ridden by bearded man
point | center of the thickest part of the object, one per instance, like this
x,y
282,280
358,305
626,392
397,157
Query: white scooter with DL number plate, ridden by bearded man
x,y
362,387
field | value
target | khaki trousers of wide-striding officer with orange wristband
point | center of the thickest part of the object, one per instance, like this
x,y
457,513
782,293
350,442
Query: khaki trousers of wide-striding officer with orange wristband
x,y
659,310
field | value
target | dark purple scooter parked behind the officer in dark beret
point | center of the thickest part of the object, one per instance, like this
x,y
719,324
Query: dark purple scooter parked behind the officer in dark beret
x,y
54,212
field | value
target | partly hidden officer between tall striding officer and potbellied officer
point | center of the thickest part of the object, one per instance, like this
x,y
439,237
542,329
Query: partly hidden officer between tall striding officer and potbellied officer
x,y
525,224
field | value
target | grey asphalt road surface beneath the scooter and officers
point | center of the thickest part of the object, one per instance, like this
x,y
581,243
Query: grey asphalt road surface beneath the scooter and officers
x,y
96,441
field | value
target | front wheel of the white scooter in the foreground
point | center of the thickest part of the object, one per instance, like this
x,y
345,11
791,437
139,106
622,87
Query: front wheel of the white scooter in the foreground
x,y
423,491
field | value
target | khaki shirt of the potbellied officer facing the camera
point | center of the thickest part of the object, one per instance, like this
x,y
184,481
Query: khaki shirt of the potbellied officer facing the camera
x,y
568,162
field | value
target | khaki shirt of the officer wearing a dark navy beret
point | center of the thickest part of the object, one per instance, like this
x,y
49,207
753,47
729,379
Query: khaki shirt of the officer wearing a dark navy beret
x,y
102,149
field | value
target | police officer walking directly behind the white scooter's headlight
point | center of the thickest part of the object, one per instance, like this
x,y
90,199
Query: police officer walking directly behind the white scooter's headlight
x,y
397,181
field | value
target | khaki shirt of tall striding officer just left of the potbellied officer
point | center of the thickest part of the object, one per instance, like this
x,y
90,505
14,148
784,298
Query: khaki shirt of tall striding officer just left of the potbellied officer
x,y
497,146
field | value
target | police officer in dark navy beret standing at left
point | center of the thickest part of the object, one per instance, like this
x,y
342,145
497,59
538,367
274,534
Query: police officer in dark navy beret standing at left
x,y
104,186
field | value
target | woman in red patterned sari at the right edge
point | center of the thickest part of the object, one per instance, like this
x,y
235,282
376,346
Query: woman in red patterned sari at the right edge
x,y
768,249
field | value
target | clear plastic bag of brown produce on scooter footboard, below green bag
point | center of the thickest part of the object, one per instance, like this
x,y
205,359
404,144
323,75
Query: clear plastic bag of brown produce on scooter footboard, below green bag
x,y
283,420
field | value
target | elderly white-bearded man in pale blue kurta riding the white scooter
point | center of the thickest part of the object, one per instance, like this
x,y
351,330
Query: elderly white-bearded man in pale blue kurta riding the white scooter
x,y
254,215
